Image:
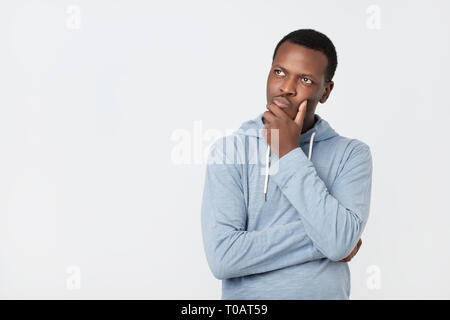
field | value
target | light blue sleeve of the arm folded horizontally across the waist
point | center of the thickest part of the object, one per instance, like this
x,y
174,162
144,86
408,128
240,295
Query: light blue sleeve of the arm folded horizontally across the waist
x,y
231,251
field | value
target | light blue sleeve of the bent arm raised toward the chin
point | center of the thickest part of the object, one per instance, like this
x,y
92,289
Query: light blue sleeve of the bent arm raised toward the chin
x,y
334,219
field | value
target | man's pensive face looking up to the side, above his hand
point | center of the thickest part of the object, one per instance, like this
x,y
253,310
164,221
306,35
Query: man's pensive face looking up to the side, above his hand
x,y
298,74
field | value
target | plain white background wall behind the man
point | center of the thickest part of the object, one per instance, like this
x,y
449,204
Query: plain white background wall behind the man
x,y
92,93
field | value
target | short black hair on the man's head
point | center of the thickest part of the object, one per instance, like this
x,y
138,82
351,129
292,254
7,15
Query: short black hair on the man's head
x,y
314,40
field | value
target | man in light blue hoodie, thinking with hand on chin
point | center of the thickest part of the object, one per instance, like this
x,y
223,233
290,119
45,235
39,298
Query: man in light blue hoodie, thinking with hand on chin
x,y
285,229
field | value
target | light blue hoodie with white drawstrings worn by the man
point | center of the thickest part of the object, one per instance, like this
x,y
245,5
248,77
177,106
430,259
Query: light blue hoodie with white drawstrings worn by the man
x,y
289,246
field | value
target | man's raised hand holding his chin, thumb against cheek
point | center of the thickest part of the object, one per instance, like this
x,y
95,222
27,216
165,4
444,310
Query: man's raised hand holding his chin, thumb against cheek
x,y
289,130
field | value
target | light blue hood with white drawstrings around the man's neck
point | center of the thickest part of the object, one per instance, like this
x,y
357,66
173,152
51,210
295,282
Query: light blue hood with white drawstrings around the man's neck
x,y
321,131
